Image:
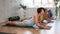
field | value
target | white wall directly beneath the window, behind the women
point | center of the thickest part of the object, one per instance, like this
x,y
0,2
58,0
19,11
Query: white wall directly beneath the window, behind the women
x,y
30,12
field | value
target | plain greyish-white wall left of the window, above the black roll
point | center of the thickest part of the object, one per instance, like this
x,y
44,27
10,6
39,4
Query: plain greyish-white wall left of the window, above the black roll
x,y
8,8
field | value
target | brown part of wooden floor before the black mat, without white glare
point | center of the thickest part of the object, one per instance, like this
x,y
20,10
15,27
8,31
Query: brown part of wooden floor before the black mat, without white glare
x,y
17,30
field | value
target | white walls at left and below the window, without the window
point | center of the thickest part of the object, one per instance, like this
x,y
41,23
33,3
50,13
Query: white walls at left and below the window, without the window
x,y
11,8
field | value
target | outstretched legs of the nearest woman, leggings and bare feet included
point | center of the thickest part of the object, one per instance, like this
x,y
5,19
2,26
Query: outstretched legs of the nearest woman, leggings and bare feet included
x,y
29,22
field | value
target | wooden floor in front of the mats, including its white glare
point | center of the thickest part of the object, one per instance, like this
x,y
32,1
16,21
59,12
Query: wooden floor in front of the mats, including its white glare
x,y
19,30
